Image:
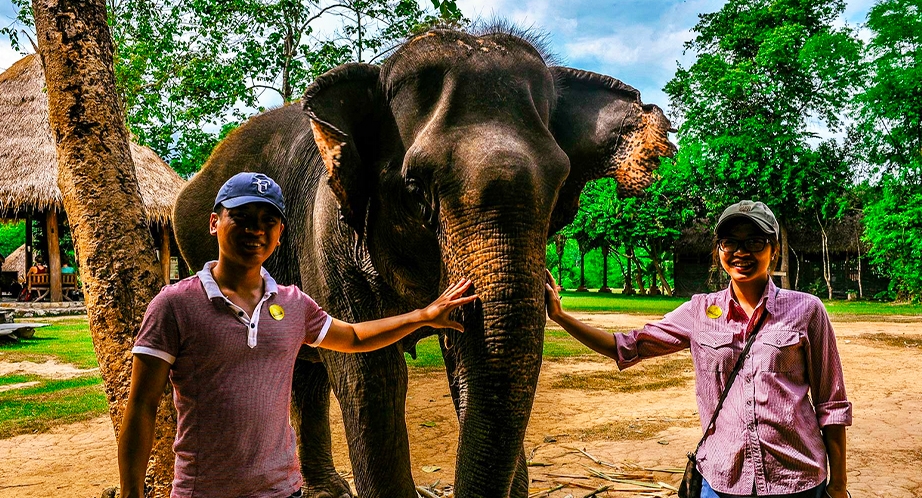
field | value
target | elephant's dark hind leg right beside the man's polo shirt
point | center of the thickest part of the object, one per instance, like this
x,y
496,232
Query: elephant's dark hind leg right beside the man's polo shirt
x,y
310,416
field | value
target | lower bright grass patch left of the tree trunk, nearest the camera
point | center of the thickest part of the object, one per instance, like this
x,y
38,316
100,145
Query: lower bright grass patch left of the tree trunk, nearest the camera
x,y
50,403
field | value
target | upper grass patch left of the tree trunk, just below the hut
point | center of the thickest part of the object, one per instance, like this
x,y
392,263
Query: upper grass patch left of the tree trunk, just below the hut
x,y
67,341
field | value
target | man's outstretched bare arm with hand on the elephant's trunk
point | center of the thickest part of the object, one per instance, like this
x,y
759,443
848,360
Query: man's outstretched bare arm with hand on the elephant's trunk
x,y
376,334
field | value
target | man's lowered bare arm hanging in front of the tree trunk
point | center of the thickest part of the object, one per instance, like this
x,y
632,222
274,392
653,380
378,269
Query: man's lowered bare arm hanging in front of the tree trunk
x,y
148,379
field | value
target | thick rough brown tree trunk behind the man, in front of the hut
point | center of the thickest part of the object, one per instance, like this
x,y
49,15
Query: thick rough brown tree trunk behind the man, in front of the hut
x,y
102,201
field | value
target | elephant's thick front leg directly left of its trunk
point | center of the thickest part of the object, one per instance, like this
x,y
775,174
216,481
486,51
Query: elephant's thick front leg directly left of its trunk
x,y
372,391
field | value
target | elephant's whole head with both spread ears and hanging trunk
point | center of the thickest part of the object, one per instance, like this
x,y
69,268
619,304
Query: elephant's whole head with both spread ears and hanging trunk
x,y
458,158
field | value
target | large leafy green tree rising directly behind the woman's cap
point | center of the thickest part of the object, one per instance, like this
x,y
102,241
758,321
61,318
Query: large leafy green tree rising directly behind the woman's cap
x,y
763,69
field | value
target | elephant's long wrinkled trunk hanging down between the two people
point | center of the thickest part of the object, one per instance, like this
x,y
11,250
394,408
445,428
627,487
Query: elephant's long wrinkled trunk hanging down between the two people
x,y
497,360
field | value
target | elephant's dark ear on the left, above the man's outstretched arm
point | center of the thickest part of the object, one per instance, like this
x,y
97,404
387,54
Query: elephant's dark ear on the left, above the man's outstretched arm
x,y
350,120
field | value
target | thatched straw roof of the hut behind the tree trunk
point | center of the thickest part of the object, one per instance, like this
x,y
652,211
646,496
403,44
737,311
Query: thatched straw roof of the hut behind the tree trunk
x,y
28,157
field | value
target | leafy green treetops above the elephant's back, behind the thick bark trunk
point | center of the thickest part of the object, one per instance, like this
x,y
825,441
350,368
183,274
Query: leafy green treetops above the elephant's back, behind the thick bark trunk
x,y
190,72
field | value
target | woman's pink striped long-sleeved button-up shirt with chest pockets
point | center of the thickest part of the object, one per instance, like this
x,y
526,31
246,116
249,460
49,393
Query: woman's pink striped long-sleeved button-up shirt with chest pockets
x,y
767,436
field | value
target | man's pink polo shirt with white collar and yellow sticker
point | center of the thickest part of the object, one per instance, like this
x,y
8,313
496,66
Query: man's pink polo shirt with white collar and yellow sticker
x,y
231,376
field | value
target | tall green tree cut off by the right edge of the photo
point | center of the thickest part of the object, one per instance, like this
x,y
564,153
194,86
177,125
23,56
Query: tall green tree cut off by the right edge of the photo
x,y
889,127
